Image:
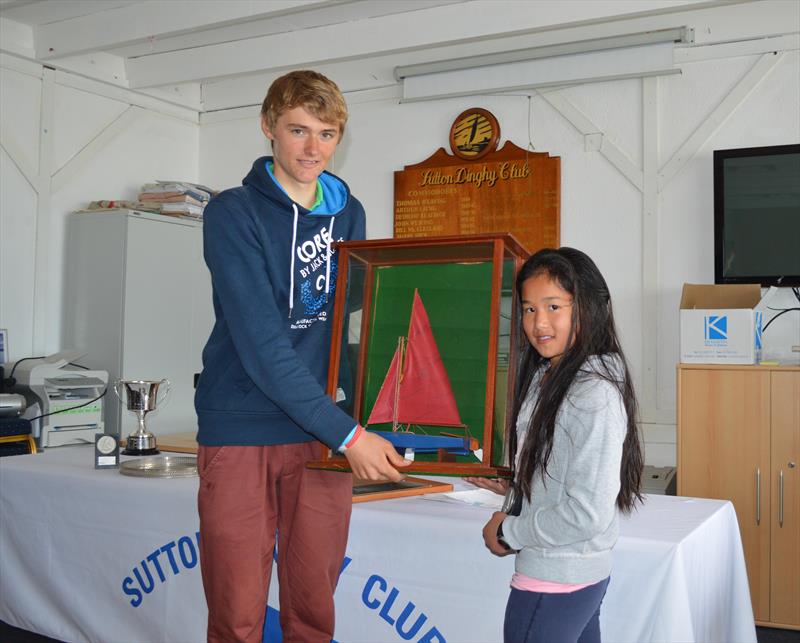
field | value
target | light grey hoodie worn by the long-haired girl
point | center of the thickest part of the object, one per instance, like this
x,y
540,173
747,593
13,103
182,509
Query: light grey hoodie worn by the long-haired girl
x,y
566,532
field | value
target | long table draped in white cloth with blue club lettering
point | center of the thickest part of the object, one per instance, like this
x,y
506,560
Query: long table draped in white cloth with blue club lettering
x,y
91,555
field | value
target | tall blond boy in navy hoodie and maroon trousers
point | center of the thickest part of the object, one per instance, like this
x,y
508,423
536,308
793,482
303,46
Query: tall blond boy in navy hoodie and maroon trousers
x,y
260,400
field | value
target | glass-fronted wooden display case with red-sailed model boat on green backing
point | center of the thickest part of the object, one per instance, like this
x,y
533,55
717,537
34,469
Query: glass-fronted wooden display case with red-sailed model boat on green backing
x,y
422,345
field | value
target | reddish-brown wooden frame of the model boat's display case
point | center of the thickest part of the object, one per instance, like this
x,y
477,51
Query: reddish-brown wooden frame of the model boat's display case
x,y
498,251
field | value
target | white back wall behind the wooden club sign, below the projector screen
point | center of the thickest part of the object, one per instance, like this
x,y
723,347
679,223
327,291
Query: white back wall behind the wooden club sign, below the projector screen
x,y
601,210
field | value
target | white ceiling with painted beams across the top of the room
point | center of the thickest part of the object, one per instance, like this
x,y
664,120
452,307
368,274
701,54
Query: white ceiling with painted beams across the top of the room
x,y
151,45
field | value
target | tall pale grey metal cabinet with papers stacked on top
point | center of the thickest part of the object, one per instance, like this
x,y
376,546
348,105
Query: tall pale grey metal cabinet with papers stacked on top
x,y
137,300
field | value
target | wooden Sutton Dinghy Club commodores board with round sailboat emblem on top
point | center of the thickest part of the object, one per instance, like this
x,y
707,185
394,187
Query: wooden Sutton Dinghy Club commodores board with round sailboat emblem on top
x,y
479,189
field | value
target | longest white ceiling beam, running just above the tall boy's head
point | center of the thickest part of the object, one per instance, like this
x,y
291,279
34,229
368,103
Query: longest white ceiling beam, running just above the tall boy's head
x,y
472,21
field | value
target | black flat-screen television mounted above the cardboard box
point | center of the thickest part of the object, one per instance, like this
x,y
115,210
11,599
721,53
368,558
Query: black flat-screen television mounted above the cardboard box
x,y
757,215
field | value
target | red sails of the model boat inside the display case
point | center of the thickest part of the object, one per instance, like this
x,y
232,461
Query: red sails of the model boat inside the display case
x,y
425,395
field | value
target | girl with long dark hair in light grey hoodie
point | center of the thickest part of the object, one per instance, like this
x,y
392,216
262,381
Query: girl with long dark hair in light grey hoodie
x,y
577,453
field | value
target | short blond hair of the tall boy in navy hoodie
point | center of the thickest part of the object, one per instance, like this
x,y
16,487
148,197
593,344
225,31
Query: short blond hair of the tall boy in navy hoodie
x,y
309,89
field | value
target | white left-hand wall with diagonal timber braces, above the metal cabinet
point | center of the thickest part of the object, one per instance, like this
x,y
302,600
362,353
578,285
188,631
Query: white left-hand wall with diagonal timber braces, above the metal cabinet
x,y
66,141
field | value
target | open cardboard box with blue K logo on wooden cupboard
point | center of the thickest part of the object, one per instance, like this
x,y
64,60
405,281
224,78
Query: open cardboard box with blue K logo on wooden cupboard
x,y
719,324
